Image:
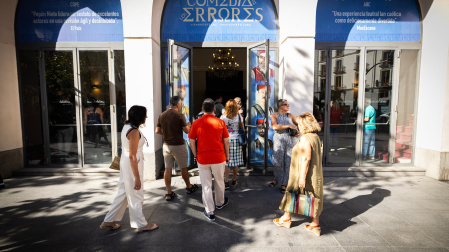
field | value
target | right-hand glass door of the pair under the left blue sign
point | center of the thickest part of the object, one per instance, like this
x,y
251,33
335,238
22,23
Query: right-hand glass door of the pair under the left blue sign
x,y
95,106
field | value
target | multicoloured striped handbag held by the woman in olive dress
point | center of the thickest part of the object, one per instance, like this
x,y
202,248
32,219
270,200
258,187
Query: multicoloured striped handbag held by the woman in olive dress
x,y
302,204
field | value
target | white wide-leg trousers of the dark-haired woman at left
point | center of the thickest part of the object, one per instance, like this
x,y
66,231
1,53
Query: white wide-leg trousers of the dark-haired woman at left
x,y
127,196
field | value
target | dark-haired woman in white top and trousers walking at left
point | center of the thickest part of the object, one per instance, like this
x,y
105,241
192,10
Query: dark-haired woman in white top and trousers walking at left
x,y
130,191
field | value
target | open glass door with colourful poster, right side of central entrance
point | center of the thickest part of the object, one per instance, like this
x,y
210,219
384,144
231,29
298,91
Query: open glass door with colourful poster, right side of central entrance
x,y
260,93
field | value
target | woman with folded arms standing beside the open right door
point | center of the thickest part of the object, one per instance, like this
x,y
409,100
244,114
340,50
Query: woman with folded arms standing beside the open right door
x,y
283,143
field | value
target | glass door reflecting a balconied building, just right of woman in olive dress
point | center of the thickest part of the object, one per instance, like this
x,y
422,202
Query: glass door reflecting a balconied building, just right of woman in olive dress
x,y
342,92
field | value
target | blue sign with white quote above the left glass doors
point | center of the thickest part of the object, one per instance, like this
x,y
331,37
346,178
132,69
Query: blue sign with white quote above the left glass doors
x,y
67,21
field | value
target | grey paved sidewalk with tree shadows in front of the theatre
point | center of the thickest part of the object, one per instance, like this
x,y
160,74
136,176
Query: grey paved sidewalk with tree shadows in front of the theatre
x,y
62,213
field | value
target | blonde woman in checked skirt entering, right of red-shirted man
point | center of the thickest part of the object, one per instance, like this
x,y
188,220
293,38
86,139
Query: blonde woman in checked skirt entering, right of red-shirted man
x,y
231,118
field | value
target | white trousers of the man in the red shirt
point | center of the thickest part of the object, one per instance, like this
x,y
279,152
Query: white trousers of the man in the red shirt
x,y
206,172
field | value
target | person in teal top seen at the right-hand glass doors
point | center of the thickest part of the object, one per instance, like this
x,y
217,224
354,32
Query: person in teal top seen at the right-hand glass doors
x,y
369,131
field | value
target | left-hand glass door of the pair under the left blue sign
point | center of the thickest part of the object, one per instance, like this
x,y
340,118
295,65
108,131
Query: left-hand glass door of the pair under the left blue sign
x,y
59,115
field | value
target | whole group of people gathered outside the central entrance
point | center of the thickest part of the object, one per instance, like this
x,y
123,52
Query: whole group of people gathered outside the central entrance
x,y
215,145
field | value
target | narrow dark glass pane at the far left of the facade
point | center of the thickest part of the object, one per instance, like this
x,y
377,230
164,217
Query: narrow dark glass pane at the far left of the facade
x,y
31,107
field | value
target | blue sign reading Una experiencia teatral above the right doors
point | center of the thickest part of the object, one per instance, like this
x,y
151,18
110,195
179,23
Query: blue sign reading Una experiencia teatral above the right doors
x,y
379,21
